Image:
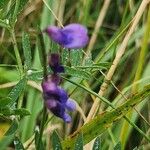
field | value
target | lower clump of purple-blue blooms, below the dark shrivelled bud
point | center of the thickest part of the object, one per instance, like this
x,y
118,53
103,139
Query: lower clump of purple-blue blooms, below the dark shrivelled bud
x,y
56,98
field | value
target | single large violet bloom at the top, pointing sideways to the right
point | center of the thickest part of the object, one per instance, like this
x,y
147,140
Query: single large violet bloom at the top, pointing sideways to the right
x,y
72,36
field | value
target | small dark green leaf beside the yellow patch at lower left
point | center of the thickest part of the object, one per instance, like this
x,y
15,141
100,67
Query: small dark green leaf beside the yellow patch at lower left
x,y
13,128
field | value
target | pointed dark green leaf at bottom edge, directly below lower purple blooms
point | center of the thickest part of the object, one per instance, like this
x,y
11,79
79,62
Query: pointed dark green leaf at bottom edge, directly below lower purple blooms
x,y
56,141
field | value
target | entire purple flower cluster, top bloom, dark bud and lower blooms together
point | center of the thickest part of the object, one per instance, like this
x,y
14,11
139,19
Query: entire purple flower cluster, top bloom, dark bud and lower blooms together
x,y
72,36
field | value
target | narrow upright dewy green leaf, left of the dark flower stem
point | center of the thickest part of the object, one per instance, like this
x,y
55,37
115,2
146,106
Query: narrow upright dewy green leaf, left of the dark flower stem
x,y
27,50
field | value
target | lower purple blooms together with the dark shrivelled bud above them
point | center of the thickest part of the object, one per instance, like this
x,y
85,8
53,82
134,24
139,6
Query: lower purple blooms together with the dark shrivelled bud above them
x,y
56,98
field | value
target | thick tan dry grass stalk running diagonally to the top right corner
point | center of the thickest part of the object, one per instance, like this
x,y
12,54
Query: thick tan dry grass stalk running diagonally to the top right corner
x,y
117,59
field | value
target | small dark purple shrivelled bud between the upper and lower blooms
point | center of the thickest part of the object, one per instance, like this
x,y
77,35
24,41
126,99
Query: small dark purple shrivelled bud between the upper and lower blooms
x,y
54,63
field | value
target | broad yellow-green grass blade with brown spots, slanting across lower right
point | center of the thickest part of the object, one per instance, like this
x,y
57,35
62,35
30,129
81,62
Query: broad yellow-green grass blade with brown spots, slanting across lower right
x,y
102,122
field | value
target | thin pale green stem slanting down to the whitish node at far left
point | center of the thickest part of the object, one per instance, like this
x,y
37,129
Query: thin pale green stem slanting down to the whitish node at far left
x,y
19,62
